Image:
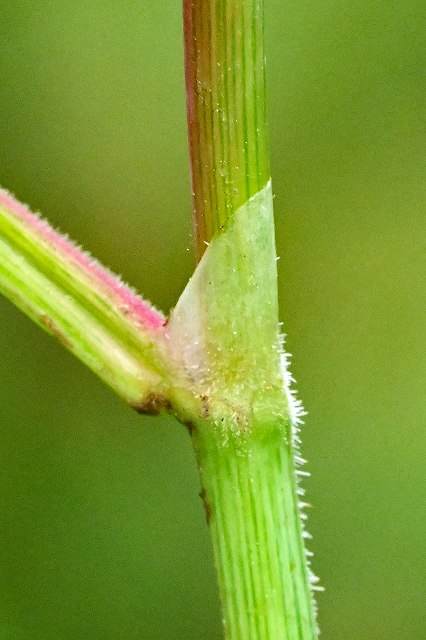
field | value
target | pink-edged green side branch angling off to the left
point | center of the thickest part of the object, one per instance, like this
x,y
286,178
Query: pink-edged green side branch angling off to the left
x,y
93,314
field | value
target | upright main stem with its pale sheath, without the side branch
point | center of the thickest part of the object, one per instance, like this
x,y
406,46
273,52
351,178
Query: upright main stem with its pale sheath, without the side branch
x,y
245,440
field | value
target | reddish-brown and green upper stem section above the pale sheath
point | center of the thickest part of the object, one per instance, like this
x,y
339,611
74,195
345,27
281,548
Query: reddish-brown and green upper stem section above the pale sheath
x,y
225,77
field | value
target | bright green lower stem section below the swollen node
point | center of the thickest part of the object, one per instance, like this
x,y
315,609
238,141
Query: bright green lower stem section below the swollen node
x,y
251,504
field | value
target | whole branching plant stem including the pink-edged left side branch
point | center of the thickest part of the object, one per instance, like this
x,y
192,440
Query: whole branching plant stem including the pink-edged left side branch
x,y
218,362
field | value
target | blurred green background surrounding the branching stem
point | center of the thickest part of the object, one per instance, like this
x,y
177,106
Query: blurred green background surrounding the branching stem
x,y
102,534
